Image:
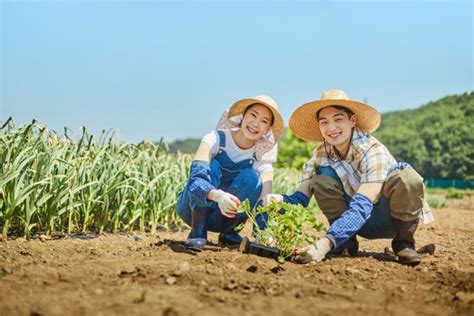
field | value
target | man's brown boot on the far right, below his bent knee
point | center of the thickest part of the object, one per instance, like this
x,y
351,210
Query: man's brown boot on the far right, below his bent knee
x,y
403,244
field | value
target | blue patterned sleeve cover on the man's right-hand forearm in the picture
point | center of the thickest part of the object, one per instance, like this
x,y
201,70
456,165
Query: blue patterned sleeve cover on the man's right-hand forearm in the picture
x,y
351,221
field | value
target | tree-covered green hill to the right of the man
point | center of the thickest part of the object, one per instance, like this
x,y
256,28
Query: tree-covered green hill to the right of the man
x,y
437,138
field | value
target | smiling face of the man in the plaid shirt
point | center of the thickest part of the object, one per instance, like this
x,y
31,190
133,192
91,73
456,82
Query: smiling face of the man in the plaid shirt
x,y
336,126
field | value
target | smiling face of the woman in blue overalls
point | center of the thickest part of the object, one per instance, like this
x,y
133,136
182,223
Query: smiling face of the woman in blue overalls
x,y
256,122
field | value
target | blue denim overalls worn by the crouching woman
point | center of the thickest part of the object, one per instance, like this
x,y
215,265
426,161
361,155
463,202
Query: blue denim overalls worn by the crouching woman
x,y
237,178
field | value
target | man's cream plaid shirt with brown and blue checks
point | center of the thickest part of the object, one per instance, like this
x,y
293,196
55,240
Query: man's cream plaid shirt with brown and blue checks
x,y
367,160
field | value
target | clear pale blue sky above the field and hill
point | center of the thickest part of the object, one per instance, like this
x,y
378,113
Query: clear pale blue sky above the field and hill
x,y
152,69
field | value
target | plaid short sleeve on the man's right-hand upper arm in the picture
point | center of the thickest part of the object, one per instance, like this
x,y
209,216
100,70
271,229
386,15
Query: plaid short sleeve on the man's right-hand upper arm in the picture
x,y
375,164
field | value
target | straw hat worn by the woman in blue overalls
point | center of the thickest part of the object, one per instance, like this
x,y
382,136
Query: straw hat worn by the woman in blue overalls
x,y
239,107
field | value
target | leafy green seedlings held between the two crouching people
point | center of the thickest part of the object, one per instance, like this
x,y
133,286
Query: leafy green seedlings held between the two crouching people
x,y
288,226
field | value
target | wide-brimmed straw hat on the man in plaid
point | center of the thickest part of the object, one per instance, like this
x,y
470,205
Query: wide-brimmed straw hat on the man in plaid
x,y
304,124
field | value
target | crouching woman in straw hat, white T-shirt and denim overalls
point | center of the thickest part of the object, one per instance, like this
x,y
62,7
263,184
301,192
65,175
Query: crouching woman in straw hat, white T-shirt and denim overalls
x,y
232,164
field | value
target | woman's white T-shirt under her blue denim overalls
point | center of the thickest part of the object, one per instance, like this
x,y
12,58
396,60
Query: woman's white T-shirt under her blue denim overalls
x,y
235,153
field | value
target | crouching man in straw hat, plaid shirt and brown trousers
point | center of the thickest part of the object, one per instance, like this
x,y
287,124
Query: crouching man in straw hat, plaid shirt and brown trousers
x,y
358,185
